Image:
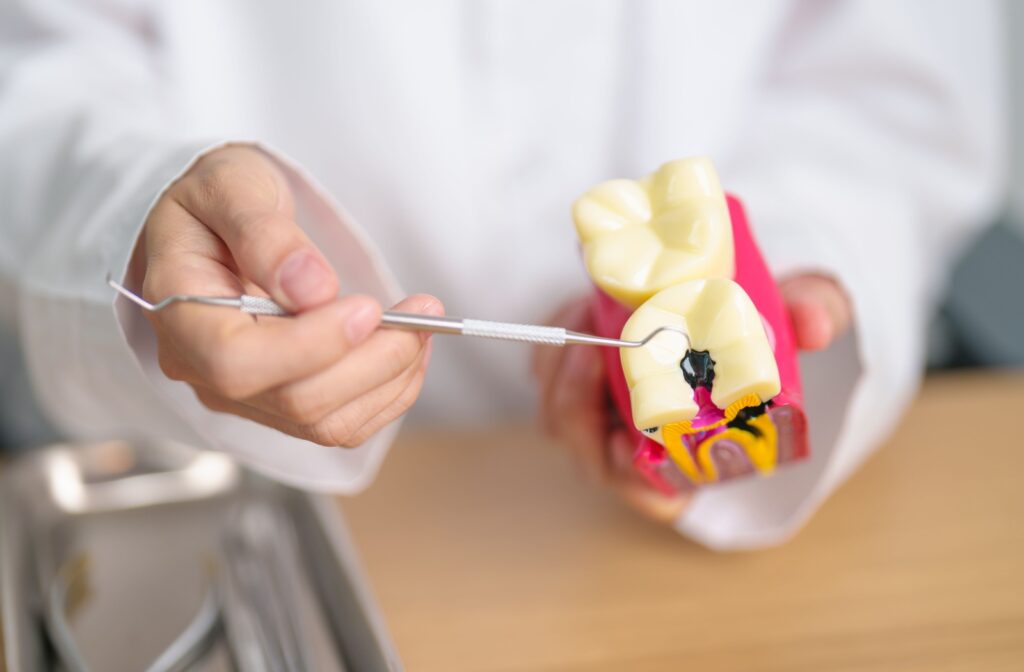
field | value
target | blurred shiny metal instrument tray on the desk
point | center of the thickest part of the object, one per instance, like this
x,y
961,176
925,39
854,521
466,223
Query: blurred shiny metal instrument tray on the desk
x,y
155,557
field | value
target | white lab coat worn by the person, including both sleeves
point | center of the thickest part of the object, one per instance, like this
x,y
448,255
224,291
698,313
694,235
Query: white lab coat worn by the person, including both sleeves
x,y
866,139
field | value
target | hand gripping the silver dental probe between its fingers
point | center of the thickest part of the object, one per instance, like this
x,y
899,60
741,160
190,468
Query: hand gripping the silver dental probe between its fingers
x,y
326,375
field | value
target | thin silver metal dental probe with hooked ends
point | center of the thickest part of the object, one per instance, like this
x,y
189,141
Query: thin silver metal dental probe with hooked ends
x,y
260,306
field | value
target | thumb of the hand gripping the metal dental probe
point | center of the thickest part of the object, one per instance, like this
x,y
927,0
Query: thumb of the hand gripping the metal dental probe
x,y
242,197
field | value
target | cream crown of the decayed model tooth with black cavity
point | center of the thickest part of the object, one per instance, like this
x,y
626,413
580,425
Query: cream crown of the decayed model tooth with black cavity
x,y
719,318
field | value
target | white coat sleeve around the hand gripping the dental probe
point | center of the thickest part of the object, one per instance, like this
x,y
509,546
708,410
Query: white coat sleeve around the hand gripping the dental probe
x,y
89,141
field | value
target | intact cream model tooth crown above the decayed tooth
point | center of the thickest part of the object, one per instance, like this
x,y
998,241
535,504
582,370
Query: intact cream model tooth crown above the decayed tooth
x,y
641,237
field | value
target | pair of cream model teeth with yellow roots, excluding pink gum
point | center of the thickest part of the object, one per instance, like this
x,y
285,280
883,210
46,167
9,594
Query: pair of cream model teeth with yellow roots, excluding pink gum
x,y
663,246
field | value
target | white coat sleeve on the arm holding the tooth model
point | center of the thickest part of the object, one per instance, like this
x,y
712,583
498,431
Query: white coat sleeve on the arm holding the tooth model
x,y
874,148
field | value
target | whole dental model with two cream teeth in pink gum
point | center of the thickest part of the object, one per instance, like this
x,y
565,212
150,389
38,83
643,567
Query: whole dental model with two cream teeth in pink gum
x,y
672,249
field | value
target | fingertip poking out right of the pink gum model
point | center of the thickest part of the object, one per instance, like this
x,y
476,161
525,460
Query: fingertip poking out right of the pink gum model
x,y
819,309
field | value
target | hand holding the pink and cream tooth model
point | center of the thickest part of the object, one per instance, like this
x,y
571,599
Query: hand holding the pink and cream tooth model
x,y
576,407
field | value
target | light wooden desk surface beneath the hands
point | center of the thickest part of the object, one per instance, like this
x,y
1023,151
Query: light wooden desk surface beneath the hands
x,y
488,555
